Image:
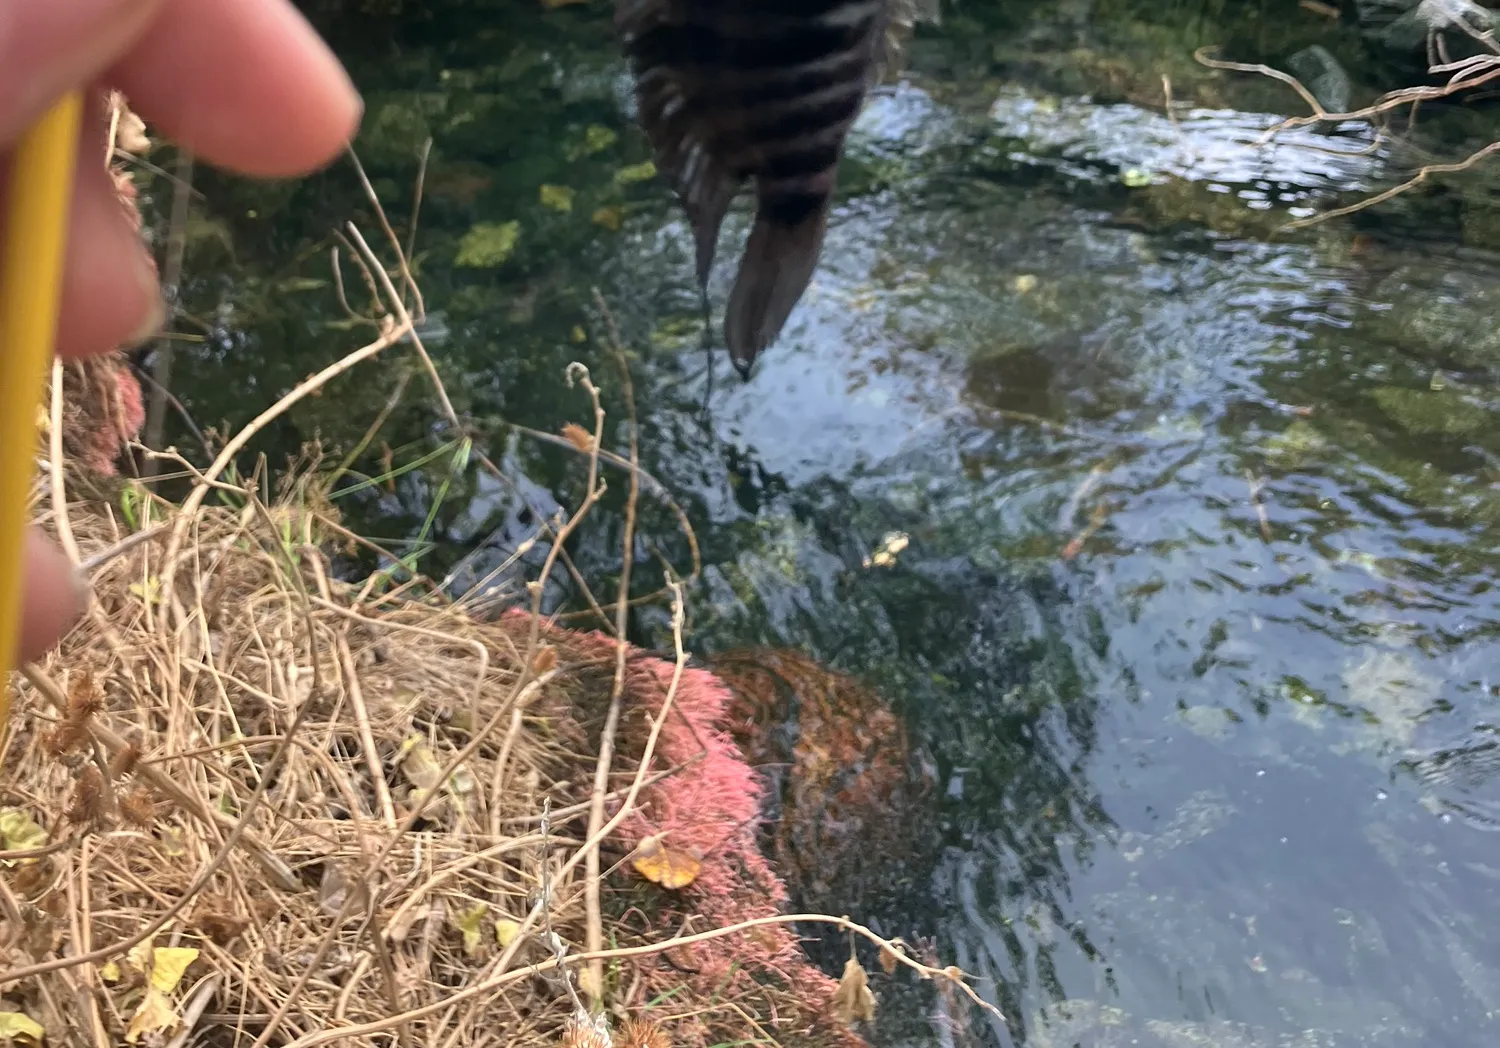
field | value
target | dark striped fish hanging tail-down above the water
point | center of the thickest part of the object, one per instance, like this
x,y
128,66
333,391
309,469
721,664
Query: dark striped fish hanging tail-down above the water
x,y
764,91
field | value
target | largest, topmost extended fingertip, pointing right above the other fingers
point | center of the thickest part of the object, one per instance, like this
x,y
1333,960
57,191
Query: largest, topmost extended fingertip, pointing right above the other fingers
x,y
248,85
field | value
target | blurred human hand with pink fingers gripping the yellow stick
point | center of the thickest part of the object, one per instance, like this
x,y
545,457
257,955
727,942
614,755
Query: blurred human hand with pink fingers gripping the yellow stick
x,y
247,85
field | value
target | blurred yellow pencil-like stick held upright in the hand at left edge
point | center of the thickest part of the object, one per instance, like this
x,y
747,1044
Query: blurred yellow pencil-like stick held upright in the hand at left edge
x,y
31,293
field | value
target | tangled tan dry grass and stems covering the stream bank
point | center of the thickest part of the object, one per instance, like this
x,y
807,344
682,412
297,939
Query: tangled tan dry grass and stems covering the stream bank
x,y
251,804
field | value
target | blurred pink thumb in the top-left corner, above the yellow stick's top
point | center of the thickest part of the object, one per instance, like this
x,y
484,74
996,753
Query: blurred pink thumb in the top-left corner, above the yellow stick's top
x,y
52,47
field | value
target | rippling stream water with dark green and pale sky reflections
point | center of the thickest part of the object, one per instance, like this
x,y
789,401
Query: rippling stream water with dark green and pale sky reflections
x,y
1196,624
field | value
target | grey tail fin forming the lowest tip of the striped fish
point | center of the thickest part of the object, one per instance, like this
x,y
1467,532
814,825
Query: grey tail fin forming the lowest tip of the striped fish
x,y
776,269
